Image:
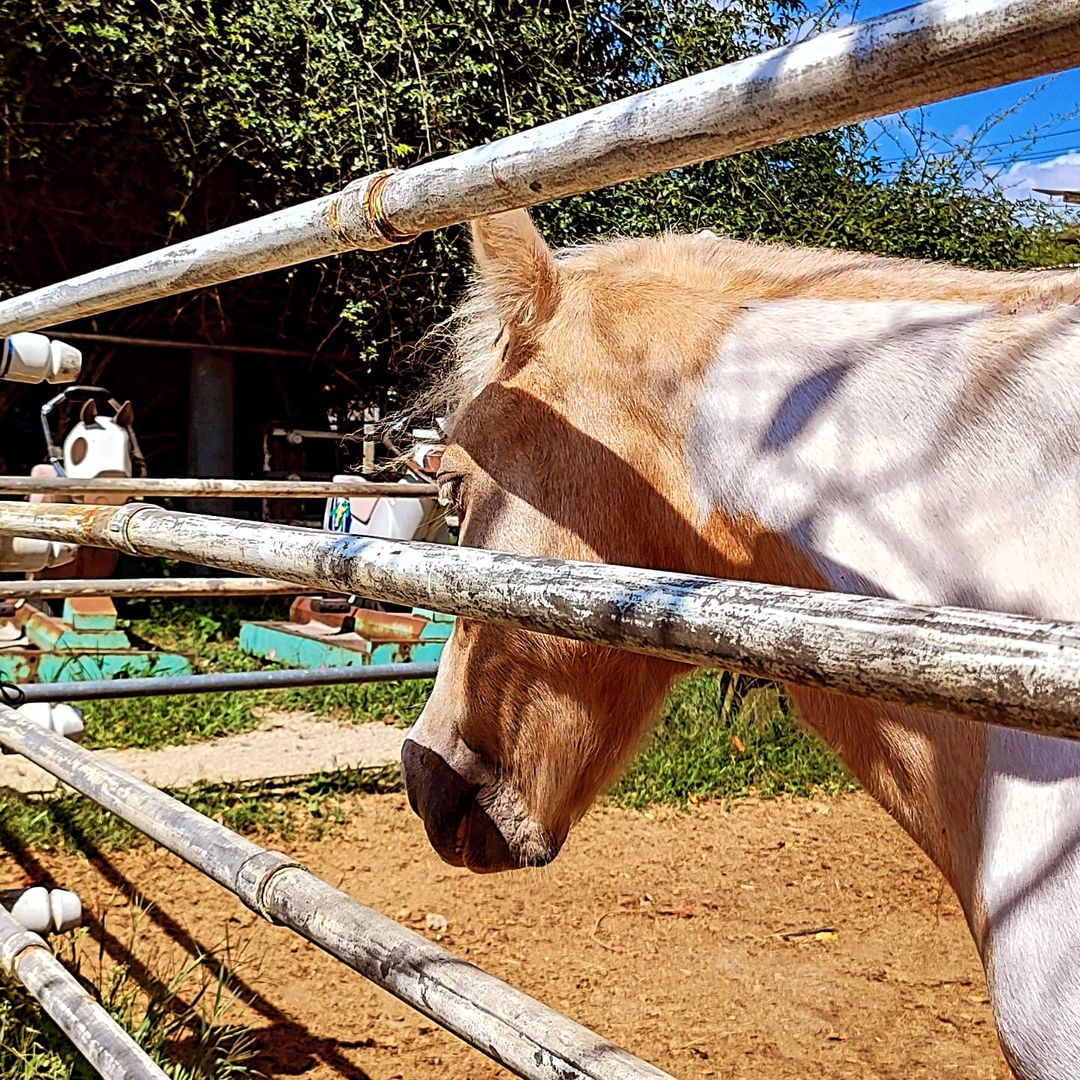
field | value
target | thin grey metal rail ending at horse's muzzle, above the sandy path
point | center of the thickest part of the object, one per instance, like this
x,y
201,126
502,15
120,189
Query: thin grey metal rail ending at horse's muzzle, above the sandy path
x,y
222,682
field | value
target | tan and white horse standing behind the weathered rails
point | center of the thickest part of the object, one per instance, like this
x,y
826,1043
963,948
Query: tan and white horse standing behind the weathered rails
x,y
802,417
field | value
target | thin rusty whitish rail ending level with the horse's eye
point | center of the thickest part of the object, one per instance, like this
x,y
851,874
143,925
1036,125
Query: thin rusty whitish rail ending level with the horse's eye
x,y
198,488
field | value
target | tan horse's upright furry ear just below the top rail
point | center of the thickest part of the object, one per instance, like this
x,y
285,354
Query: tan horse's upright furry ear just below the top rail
x,y
517,267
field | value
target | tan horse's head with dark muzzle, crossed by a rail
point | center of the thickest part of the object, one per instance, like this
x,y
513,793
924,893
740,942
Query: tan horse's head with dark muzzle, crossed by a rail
x,y
560,445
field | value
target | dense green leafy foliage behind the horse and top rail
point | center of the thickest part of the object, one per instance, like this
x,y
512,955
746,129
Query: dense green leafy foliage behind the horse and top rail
x,y
125,126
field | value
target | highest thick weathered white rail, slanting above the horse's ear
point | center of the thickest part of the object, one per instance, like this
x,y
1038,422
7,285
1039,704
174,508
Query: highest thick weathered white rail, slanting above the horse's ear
x,y
910,58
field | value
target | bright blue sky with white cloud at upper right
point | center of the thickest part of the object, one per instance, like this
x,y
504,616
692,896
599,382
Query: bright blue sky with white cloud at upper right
x,y
1048,110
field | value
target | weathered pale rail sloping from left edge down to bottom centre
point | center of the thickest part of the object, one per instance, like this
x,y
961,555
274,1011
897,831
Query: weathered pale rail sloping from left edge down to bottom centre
x,y
502,1022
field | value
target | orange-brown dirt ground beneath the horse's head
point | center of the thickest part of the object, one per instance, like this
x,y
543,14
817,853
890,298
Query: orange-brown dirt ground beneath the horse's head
x,y
664,931
